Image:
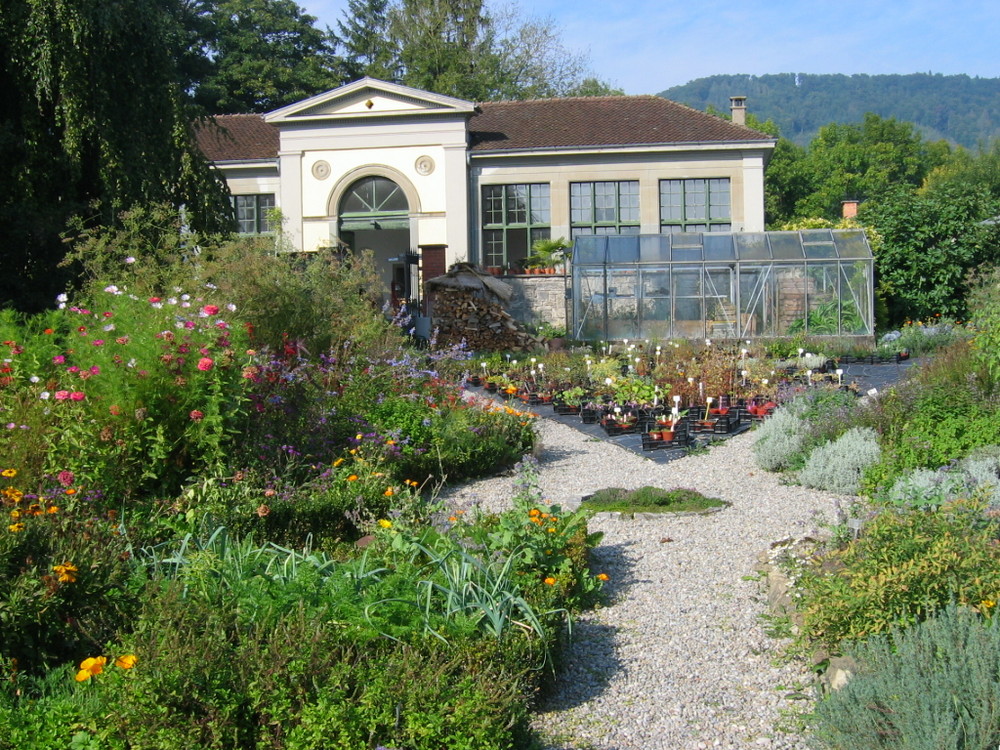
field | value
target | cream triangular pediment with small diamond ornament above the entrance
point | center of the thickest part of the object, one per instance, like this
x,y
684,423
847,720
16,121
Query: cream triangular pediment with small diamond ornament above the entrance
x,y
369,98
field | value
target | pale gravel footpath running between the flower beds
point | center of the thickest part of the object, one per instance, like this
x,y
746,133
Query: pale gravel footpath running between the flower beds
x,y
678,658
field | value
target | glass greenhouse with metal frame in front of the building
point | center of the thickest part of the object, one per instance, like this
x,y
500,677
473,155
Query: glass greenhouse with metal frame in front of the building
x,y
717,285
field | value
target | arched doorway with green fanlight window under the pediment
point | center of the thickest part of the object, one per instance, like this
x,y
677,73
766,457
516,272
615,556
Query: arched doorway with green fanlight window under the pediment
x,y
374,214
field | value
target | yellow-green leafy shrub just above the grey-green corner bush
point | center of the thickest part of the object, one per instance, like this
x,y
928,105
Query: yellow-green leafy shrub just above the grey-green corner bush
x,y
905,566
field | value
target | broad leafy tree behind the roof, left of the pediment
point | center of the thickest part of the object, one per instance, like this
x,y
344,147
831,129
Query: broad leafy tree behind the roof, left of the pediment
x,y
265,54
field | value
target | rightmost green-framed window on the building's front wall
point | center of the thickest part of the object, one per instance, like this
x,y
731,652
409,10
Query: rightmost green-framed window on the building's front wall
x,y
695,206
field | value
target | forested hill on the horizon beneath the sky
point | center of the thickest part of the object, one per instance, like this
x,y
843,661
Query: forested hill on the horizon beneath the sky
x,y
956,107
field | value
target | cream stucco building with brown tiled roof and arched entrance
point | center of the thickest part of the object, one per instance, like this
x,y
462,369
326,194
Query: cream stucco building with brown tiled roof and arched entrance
x,y
427,179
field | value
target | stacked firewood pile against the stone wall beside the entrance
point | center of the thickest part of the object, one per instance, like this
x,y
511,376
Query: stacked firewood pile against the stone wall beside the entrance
x,y
485,326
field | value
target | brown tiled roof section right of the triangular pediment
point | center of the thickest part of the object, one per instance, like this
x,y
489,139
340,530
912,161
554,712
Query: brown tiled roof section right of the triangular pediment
x,y
598,121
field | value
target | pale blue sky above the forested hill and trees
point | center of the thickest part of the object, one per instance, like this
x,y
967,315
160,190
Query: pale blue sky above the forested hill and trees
x,y
645,46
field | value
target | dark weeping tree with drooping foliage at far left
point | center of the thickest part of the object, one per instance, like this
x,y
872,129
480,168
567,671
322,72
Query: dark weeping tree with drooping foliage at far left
x,y
93,120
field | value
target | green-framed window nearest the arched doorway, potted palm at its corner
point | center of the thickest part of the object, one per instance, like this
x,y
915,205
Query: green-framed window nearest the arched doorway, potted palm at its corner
x,y
514,216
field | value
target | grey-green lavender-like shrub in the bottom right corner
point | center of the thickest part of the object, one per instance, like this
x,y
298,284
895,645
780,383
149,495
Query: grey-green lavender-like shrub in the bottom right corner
x,y
933,686
